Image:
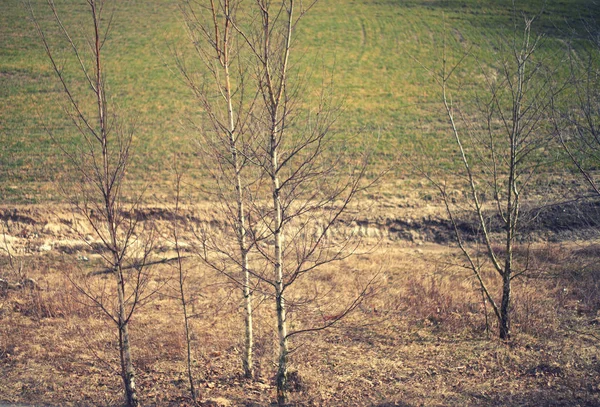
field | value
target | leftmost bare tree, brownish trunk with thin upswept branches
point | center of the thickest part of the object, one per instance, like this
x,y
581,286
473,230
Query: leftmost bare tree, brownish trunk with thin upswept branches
x,y
100,162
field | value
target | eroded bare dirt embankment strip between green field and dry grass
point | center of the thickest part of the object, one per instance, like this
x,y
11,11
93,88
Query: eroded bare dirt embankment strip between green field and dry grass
x,y
38,229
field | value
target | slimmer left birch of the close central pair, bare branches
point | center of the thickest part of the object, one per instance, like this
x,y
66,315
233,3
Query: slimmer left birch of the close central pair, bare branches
x,y
220,86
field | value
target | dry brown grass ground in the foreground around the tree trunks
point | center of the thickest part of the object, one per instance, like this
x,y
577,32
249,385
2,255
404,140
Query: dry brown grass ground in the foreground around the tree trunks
x,y
418,339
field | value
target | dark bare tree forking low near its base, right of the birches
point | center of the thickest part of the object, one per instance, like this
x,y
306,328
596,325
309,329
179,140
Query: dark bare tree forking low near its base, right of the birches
x,y
500,147
